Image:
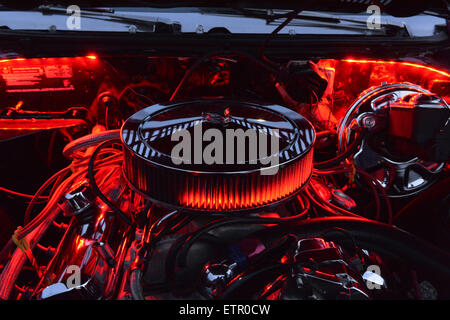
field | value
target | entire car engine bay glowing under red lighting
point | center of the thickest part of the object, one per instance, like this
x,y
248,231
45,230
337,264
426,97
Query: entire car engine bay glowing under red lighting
x,y
350,201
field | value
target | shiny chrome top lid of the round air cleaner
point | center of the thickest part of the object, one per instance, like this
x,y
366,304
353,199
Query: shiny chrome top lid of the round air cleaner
x,y
179,136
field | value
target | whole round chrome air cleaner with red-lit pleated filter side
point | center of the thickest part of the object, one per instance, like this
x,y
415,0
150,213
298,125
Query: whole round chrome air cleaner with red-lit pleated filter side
x,y
217,155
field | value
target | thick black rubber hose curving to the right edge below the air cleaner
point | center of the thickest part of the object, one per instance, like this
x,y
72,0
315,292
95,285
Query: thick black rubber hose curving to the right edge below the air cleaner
x,y
379,237
